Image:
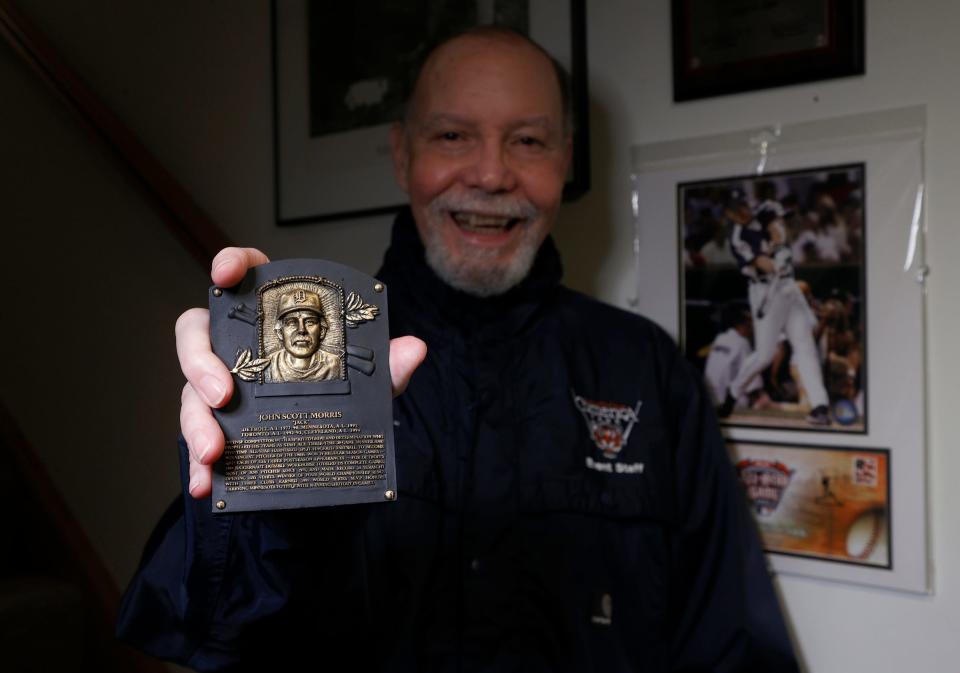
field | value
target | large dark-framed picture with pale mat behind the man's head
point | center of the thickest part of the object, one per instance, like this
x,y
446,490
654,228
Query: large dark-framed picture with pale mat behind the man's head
x,y
342,72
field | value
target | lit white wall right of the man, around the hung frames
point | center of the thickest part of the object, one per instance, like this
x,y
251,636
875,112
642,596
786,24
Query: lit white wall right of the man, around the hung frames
x,y
912,52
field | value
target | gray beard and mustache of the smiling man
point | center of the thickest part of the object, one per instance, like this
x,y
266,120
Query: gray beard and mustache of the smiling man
x,y
479,274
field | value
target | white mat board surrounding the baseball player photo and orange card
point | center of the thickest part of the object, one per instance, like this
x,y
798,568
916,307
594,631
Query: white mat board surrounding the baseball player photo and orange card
x,y
889,145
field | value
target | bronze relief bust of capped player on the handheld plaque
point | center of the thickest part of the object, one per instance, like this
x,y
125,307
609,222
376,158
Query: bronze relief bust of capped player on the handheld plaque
x,y
300,328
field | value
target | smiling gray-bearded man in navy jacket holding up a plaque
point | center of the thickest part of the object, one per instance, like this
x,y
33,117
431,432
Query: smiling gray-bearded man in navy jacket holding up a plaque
x,y
506,550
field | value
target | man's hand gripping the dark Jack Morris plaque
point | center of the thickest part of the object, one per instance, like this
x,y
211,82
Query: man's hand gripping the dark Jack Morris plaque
x,y
210,385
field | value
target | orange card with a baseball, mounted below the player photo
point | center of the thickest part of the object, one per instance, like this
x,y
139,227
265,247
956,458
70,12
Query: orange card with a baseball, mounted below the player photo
x,y
826,503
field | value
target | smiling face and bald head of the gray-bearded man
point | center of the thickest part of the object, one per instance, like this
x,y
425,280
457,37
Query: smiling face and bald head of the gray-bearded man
x,y
483,157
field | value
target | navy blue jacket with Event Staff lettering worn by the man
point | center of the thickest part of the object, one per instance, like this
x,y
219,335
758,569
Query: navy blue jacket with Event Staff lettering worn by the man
x,y
516,544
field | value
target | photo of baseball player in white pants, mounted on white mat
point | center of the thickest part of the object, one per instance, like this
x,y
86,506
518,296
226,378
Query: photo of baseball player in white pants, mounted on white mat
x,y
773,302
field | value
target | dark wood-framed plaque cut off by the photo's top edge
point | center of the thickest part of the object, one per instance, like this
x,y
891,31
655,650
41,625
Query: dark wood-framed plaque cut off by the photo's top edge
x,y
728,47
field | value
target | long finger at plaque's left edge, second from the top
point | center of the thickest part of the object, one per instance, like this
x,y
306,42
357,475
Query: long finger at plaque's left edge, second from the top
x,y
207,374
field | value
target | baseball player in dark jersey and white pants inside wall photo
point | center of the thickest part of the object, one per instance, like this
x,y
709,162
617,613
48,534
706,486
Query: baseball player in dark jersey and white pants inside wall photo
x,y
758,241
